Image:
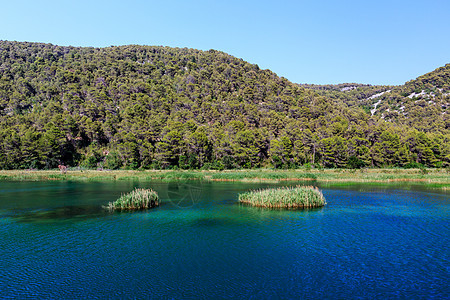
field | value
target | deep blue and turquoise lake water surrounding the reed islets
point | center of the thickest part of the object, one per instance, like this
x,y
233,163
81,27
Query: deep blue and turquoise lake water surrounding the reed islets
x,y
372,243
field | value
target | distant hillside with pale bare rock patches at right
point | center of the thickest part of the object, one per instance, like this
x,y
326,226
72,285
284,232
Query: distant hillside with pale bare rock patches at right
x,y
421,103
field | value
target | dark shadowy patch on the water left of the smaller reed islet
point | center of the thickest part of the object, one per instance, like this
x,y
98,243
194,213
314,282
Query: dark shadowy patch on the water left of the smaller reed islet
x,y
57,214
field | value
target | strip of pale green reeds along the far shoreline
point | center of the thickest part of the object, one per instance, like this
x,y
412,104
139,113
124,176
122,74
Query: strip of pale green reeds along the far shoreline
x,y
434,177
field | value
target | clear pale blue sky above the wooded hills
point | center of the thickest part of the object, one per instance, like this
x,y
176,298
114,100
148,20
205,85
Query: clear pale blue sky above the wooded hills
x,y
377,42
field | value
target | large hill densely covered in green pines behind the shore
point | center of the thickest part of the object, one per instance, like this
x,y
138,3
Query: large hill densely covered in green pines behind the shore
x,y
161,107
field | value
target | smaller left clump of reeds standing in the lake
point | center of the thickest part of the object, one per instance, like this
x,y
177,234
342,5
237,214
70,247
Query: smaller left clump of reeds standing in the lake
x,y
138,199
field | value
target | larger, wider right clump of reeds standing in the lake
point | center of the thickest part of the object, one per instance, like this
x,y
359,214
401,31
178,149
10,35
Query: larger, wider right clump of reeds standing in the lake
x,y
285,197
